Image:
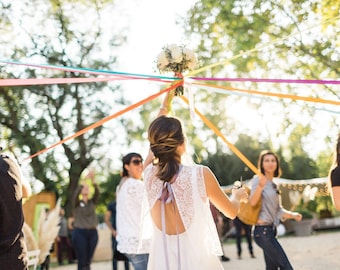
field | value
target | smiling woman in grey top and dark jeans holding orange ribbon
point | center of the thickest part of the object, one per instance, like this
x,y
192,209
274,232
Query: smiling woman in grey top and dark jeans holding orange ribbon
x,y
263,185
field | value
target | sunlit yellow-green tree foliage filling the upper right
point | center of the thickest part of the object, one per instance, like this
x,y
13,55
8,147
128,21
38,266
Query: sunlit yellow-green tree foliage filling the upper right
x,y
268,39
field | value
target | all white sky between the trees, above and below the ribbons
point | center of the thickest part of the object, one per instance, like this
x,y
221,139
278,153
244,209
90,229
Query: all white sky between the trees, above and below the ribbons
x,y
151,25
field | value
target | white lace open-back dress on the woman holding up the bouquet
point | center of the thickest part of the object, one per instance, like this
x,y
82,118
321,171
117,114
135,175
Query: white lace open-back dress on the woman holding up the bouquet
x,y
199,245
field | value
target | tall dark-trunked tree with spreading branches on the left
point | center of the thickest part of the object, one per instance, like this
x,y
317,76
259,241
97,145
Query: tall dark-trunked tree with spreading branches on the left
x,y
38,116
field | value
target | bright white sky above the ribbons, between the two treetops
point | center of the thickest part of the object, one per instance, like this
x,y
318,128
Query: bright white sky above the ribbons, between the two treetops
x,y
151,26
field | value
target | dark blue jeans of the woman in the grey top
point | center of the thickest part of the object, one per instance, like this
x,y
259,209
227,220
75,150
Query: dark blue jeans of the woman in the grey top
x,y
274,255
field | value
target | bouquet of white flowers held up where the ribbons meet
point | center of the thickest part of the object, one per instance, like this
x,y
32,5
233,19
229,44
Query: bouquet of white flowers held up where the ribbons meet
x,y
177,59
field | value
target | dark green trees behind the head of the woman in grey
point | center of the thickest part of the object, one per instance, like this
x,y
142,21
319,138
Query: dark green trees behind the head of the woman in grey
x,y
294,162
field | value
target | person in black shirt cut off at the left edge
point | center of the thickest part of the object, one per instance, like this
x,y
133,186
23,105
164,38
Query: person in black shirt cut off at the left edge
x,y
13,252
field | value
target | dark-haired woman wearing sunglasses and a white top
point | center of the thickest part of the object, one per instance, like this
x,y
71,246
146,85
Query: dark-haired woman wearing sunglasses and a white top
x,y
129,206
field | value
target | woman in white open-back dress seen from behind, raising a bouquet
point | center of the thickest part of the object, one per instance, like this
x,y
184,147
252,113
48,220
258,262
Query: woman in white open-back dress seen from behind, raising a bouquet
x,y
184,232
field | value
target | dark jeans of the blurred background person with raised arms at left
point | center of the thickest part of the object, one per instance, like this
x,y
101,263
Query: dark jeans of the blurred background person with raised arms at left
x,y
84,242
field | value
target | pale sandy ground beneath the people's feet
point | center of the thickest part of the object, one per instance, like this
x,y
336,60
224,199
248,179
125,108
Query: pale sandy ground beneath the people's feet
x,y
319,251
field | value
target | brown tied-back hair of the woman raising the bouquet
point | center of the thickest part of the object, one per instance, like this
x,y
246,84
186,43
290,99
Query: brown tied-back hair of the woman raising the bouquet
x,y
165,134
